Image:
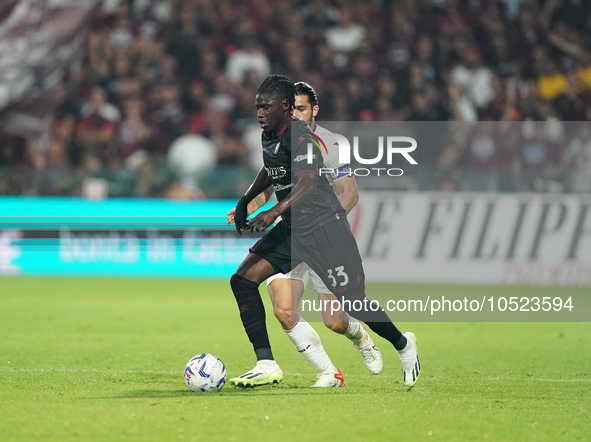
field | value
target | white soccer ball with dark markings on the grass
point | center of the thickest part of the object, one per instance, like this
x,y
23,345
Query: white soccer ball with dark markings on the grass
x,y
205,372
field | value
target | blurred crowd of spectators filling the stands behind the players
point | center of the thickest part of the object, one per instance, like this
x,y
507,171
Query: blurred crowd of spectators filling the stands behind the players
x,y
160,102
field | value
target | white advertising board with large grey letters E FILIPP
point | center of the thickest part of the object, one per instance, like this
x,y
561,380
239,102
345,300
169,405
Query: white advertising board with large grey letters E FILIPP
x,y
474,238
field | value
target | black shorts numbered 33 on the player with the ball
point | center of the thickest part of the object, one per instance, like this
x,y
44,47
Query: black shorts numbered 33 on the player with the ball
x,y
331,251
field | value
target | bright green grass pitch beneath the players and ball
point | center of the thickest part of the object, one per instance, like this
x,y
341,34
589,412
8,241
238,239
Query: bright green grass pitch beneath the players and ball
x,y
102,360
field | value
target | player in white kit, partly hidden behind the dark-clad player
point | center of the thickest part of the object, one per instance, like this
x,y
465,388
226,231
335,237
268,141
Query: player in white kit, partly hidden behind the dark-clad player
x,y
286,290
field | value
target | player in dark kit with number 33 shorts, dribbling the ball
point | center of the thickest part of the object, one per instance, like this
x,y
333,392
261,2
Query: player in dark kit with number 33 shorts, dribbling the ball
x,y
313,229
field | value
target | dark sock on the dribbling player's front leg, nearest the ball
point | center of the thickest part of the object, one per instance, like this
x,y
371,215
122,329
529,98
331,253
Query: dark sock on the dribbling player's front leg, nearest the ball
x,y
252,313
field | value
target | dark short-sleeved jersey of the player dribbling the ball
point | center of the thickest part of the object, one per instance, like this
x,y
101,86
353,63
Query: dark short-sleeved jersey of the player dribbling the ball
x,y
286,155
